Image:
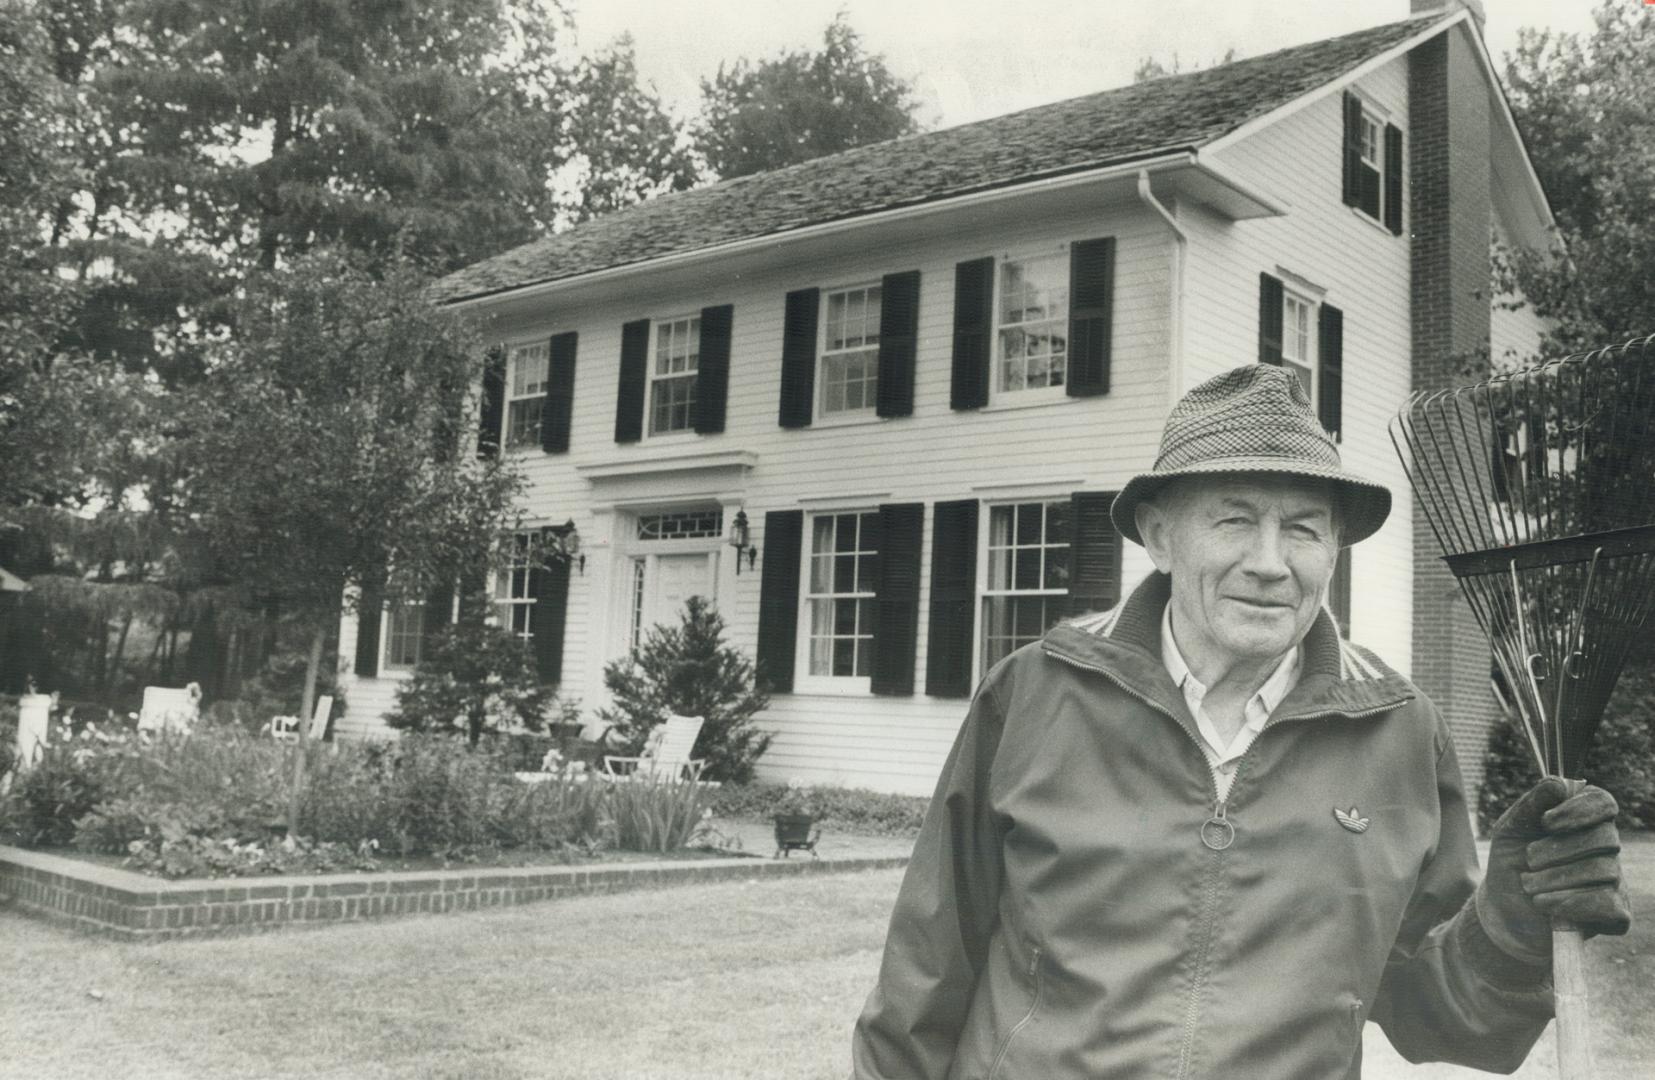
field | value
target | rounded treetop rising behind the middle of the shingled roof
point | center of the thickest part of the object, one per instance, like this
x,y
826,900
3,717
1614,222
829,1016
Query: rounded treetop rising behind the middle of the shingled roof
x,y
800,107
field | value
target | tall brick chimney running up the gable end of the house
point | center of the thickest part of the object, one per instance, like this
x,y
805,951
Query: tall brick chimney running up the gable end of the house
x,y
1451,285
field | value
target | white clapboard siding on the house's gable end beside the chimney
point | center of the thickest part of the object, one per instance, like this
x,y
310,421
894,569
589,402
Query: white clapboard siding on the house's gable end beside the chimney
x,y
1365,270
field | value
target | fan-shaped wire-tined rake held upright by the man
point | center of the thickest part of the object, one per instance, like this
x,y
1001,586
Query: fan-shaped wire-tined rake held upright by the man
x,y
1540,487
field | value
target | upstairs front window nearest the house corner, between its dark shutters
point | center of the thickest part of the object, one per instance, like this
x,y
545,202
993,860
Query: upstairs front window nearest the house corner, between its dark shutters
x,y
1032,323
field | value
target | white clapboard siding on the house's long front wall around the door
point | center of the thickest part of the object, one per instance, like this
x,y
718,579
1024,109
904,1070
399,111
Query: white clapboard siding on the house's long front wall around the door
x,y
895,743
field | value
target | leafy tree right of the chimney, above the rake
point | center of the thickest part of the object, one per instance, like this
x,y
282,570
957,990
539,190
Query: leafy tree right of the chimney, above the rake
x,y
1590,125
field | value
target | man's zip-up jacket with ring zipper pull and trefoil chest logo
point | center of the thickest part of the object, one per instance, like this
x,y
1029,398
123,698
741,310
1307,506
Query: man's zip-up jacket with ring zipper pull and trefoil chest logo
x,y
1080,904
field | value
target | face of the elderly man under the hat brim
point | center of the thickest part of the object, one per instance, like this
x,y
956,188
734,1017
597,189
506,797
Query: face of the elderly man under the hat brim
x,y
1250,560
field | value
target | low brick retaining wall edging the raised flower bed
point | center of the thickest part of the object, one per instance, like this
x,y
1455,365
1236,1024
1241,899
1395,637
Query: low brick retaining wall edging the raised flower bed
x,y
135,907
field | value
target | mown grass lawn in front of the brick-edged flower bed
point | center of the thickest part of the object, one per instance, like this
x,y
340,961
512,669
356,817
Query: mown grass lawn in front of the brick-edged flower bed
x,y
732,980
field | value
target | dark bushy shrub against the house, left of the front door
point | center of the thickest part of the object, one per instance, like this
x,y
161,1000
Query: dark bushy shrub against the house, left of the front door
x,y
473,679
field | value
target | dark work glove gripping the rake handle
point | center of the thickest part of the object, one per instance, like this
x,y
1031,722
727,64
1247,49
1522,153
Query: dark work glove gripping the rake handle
x,y
1555,854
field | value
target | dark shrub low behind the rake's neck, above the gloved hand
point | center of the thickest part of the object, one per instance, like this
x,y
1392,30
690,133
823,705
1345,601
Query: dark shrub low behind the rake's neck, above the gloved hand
x,y
1621,760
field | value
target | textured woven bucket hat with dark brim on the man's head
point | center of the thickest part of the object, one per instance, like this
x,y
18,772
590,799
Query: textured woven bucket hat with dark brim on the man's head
x,y
1255,419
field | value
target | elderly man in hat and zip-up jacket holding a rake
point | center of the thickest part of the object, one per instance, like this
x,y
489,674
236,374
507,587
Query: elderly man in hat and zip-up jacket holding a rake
x,y
1201,836
